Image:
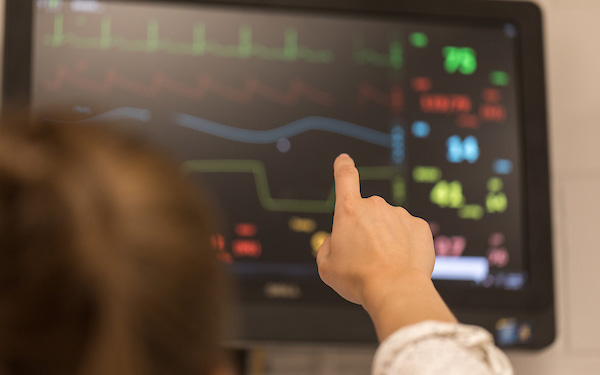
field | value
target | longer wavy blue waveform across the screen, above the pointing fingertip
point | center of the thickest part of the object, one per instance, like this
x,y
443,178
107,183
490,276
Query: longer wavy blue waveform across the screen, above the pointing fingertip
x,y
287,131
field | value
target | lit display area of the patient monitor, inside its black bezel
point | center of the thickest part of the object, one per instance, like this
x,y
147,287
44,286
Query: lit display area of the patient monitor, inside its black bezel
x,y
256,105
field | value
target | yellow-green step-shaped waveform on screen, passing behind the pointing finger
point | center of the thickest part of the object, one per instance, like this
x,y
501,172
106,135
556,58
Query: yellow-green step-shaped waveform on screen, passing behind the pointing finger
x,y
257,168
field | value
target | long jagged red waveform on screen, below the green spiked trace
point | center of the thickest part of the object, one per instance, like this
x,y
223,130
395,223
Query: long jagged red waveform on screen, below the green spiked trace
x,y
205,84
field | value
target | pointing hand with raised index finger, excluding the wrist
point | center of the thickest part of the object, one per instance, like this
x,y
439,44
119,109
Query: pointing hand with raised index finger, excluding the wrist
x,y
371,241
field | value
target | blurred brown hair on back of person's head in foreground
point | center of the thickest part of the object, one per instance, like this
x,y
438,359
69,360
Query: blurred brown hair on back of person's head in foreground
x,y
105,258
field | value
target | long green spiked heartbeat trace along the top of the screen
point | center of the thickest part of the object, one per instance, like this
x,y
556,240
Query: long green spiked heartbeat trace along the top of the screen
x,y
200,46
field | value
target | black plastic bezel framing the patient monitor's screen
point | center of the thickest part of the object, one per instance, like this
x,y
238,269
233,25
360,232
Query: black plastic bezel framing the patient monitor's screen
x,y
538,296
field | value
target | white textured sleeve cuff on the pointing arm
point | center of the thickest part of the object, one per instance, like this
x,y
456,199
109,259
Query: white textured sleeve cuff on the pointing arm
x,y
433,348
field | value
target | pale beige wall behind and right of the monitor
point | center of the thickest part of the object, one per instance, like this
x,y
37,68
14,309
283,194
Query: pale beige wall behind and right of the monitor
x,y
573,71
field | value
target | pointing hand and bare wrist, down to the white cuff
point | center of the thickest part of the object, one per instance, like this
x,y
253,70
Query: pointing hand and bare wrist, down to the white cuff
x,y
379,256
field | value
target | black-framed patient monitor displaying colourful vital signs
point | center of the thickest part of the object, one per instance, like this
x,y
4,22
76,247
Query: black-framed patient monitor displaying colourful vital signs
x,y
442,108
